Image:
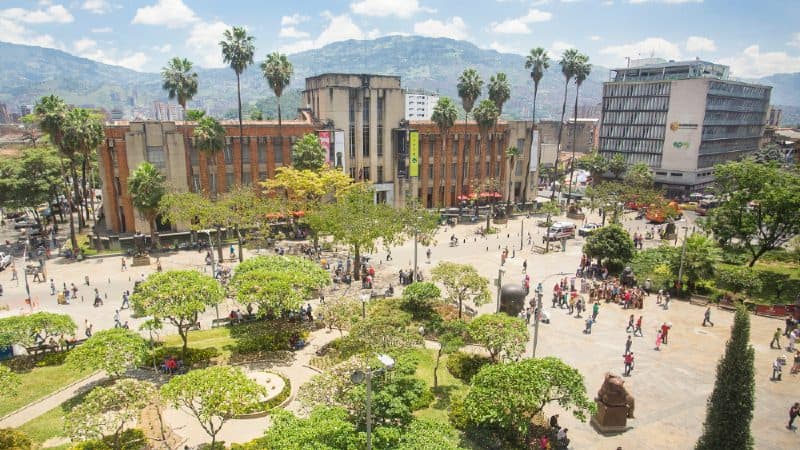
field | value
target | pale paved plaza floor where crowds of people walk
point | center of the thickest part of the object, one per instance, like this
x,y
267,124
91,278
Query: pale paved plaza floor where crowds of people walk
x,y
670,386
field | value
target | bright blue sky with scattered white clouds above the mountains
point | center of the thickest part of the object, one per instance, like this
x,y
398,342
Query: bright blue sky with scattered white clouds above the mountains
x,y
749,35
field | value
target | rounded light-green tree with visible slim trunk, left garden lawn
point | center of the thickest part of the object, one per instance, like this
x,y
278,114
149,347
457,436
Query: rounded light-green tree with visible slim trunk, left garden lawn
x,y
178,297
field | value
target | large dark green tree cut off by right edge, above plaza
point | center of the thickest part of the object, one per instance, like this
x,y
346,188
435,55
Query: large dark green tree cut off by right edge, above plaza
x,y
759,206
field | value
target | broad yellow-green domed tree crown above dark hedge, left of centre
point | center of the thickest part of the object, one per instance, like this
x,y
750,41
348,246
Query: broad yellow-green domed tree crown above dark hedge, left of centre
x,y
278,283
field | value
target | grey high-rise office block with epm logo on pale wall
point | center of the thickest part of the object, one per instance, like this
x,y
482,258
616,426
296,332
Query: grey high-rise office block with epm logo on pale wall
x,y
681,118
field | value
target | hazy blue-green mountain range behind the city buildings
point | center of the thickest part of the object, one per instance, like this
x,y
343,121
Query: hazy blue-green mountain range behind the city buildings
x,y
433,64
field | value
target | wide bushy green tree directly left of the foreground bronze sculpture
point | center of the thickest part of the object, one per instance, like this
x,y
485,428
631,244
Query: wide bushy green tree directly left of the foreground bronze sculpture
x,y
510,395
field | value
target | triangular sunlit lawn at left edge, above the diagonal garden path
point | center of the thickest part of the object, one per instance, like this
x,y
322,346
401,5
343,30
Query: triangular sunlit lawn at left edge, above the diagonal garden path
x,y
40,382
